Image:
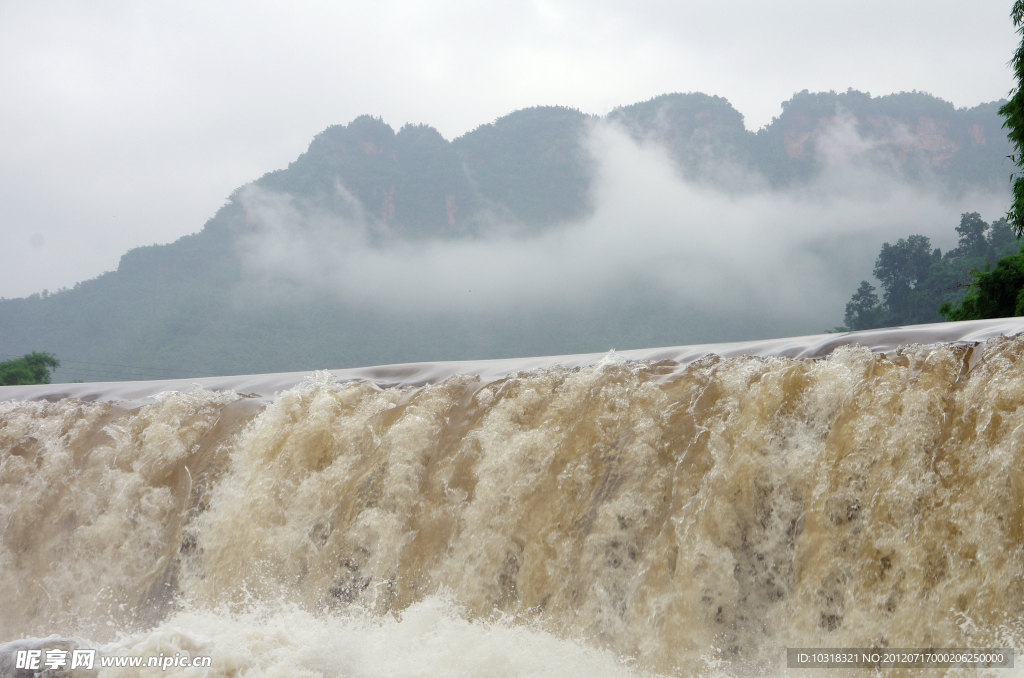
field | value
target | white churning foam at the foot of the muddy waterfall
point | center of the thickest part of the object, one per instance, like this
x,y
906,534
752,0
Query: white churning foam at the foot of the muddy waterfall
x,y
434,639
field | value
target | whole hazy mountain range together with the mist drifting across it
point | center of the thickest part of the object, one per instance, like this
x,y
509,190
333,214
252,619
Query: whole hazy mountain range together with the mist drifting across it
x,y
547,232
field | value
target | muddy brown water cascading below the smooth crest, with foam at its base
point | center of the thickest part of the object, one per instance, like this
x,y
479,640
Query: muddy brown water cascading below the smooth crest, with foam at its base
x,y
623,519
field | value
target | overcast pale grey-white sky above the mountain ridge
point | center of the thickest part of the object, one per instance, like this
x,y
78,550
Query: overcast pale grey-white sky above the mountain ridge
x,y
130,123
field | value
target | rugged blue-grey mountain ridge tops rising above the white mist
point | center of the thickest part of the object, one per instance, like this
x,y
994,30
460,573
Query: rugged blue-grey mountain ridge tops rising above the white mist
x,y
532,167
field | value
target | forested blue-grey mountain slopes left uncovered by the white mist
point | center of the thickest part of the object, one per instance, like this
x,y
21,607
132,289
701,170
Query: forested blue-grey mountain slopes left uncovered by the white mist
x,y
177,310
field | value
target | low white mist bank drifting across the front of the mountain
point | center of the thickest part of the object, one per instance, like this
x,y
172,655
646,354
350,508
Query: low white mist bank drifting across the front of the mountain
x,y
794,255
